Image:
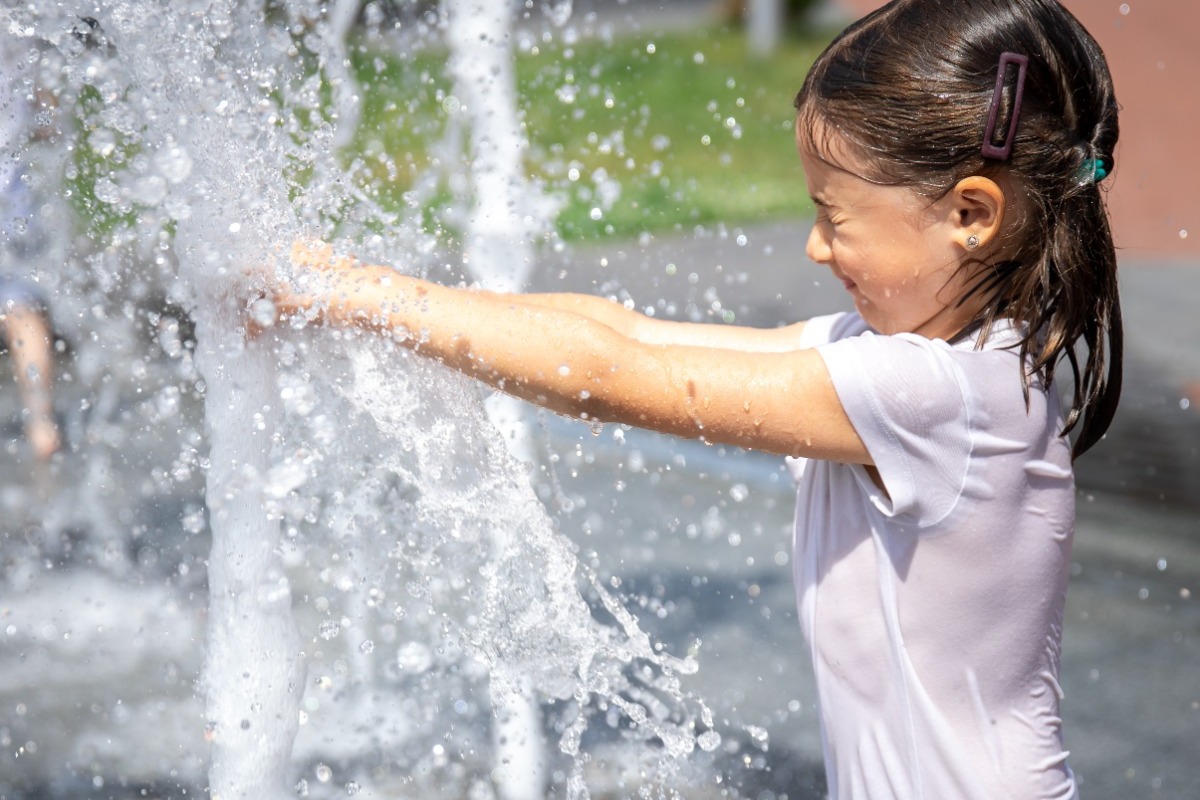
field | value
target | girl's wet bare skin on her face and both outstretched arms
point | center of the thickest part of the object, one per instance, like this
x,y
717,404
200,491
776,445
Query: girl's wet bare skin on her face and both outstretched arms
x,y
589,358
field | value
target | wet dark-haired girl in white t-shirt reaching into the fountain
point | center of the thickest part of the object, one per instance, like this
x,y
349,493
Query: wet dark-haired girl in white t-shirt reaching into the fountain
x,y
955,152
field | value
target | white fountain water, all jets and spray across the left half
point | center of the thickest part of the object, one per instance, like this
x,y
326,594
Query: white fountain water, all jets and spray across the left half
x,y
381,576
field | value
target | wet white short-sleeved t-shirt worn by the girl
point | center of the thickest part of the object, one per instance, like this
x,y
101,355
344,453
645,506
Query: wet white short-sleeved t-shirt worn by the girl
x,y
934,610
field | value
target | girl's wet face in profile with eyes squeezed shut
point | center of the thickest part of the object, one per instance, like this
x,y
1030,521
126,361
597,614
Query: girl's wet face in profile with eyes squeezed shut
x,y
896,252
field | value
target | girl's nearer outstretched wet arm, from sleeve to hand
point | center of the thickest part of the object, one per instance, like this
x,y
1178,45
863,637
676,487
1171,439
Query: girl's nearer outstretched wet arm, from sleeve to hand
x,y
579,365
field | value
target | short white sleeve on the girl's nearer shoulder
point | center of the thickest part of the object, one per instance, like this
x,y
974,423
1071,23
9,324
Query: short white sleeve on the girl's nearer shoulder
x,y
905,399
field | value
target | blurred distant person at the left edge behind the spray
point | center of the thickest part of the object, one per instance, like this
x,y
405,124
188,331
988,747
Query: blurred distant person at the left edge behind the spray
x,y
25,322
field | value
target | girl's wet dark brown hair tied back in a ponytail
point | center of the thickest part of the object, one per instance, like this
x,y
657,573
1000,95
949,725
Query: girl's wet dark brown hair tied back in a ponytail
x,y
910,89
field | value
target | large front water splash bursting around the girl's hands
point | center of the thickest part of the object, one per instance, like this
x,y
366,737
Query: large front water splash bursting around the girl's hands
x,y
355,494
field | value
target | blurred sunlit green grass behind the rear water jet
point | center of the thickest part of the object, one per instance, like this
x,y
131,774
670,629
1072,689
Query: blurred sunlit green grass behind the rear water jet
x,y
640,134
